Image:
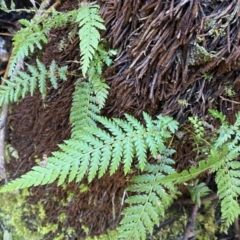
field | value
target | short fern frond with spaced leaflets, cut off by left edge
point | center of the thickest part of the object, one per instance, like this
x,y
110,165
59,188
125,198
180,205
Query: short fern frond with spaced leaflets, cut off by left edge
x,y
24,82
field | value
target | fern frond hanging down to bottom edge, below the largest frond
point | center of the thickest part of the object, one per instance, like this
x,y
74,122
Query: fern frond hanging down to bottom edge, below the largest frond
x,y
150,201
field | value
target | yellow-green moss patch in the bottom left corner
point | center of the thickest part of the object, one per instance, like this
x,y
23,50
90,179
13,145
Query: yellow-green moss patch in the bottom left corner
x,y
28,221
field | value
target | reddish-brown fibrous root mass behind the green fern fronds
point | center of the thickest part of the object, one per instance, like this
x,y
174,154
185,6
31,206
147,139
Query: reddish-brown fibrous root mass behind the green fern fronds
x,y
169,61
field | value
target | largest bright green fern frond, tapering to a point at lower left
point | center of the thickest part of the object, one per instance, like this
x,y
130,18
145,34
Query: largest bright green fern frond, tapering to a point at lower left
x,y
96,150
